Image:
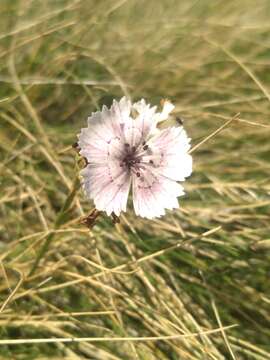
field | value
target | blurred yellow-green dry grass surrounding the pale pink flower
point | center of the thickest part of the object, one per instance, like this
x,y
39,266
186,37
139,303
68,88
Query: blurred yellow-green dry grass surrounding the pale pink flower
x,y
62,59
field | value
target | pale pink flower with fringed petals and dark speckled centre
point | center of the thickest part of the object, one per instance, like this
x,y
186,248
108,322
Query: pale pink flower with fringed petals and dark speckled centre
x,y
124,148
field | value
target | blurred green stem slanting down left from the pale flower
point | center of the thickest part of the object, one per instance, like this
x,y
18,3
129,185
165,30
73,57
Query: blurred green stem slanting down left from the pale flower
x,y
58,222
